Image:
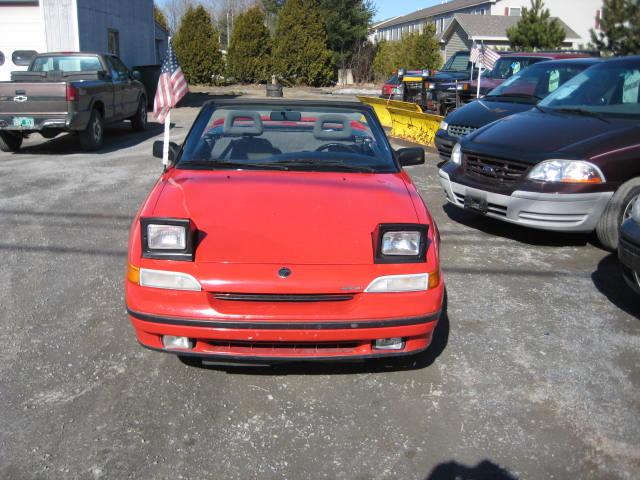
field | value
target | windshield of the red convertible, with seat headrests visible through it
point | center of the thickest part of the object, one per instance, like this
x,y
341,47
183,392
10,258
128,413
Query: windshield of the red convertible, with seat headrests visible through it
x,y
287,138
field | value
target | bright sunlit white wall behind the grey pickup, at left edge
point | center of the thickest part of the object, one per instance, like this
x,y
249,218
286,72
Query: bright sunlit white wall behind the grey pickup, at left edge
x,y
20,29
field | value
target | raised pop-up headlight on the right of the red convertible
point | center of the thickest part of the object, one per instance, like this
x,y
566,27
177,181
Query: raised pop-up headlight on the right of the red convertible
x,y
400,243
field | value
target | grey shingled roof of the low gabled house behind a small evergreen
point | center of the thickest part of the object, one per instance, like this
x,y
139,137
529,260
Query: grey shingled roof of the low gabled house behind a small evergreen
x,y
483,27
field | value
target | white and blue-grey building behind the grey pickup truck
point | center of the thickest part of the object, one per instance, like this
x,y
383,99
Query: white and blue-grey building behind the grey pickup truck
x,y
123,27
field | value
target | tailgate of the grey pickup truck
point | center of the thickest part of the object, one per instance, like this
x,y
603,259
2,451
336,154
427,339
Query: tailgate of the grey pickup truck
x,y
33,98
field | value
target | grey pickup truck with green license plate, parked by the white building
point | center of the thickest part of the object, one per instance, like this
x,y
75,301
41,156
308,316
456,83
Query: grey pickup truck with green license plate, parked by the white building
x,y
70,92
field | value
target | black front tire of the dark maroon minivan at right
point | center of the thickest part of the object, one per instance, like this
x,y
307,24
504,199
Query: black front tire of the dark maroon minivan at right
x,y
618,209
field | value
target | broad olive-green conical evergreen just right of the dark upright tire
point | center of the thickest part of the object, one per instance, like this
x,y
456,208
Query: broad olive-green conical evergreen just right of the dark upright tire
x,y
300,52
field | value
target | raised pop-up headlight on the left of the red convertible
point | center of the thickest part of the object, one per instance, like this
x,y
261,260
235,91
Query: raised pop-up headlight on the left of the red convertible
x,y
167,238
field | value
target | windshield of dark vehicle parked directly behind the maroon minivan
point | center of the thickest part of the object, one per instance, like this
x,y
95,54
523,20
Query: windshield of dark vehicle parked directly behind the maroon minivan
x,y
538,81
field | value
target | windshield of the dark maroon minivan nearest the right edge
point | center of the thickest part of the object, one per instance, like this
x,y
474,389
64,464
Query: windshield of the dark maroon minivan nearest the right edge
x,y
609,89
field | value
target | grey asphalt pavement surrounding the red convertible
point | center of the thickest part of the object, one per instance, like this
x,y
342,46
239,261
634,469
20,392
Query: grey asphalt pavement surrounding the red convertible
x,y
534,372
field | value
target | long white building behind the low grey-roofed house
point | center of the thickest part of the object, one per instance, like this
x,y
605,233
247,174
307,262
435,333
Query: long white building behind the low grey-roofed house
x,y
579,15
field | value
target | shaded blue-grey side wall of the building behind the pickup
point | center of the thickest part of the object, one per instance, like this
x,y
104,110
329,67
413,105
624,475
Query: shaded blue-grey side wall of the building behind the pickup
x,y
132,19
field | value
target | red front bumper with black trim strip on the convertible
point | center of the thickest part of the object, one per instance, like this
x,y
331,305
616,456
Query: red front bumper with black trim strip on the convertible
x,y
284,331
